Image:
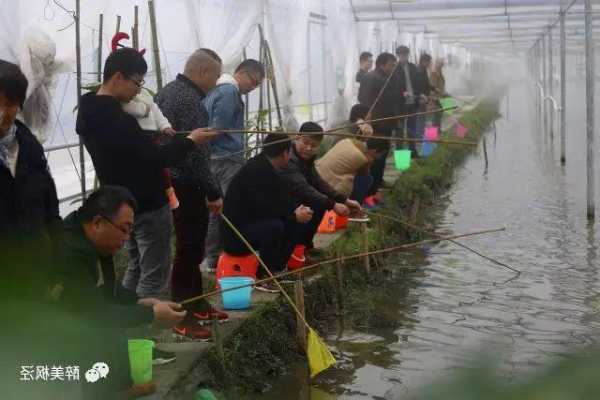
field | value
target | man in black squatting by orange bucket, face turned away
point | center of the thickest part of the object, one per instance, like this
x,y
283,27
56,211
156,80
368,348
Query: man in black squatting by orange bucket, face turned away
x,y
259,205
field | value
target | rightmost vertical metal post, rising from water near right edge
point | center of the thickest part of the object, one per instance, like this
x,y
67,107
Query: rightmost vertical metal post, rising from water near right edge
x,y
589,77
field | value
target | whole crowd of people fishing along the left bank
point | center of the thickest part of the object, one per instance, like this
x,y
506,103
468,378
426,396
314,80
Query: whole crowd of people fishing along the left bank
x,y
155,180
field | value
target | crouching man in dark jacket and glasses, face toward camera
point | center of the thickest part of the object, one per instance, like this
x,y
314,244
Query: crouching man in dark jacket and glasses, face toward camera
x,y
307,187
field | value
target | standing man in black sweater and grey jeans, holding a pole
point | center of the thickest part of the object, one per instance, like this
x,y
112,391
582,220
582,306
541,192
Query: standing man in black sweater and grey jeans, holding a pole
x,y
124,155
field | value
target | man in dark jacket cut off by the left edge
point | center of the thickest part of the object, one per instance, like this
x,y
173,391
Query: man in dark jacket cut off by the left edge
x,y
28,201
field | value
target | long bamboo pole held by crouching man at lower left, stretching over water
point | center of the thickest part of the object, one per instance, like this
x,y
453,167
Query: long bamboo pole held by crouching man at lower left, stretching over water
x,y
341,259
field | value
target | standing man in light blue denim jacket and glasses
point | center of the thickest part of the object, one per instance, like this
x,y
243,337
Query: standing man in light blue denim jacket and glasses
x,y
226,112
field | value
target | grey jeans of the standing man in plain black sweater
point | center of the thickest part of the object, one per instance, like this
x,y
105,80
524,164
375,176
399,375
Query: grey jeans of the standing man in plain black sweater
x,y
149,251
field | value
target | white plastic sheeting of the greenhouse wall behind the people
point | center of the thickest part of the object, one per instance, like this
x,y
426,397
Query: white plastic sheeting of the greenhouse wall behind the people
x,y
315,46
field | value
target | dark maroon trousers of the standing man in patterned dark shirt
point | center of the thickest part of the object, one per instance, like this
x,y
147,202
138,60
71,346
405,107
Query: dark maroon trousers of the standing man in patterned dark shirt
x,y
191,224
